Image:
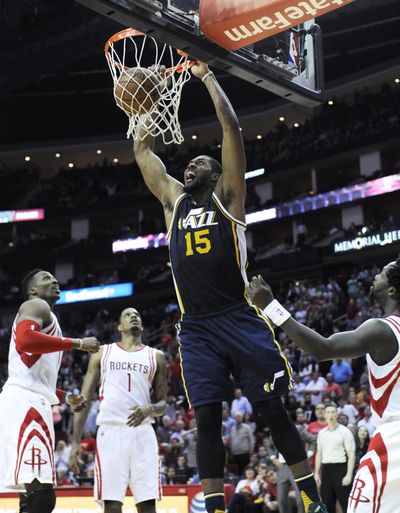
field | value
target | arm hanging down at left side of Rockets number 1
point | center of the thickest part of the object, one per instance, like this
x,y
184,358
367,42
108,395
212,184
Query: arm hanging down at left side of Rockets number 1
x,y
90,383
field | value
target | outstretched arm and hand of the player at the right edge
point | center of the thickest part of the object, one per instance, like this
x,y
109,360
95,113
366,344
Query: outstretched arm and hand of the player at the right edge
x,y
373,336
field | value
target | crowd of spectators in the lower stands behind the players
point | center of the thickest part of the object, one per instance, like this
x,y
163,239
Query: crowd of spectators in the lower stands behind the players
x,y
252,462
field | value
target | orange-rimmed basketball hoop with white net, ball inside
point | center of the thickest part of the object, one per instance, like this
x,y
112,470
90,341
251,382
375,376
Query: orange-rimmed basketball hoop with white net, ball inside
x,y
153,100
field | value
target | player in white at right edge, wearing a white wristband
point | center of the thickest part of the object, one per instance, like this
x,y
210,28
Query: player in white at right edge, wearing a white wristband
x,y
376,486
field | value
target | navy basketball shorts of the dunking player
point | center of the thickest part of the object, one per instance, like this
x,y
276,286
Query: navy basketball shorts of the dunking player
x,y
240,342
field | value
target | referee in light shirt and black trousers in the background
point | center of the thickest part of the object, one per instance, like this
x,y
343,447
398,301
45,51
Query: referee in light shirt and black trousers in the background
x,y
335,456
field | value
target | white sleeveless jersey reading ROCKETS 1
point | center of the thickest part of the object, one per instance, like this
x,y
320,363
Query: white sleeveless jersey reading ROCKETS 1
x,y
126,381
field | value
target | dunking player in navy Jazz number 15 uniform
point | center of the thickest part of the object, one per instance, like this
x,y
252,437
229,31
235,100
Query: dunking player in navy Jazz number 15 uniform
x,y
220,333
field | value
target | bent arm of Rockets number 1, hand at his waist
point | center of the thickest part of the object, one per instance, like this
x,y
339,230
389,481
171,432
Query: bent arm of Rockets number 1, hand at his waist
x,y
158,398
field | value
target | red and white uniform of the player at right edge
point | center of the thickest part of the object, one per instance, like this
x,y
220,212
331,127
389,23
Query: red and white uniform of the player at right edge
x,y
376,486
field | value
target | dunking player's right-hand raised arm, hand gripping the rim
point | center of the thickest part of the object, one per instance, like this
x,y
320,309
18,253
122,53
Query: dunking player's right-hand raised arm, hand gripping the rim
x,y
231,188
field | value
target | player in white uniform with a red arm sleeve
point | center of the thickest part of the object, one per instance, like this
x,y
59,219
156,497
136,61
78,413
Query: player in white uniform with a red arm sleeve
x,y
26,428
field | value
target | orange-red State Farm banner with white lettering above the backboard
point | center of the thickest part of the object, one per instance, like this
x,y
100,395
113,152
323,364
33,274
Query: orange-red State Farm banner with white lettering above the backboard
x,y
233,24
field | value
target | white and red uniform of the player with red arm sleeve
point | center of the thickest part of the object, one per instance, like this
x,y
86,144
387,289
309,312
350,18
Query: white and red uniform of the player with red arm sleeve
x,y
26,428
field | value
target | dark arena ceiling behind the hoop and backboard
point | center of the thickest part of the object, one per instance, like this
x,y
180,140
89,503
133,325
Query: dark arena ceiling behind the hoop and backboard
x,y
55,83
